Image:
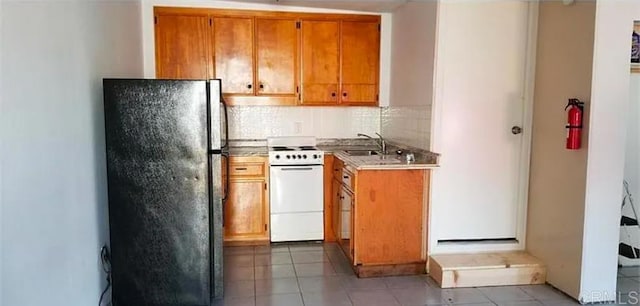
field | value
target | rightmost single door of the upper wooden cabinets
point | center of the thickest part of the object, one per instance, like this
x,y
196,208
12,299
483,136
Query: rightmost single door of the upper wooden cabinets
x,y
360,62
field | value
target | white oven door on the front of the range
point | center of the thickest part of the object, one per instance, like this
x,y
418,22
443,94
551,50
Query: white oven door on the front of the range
x,y
296,189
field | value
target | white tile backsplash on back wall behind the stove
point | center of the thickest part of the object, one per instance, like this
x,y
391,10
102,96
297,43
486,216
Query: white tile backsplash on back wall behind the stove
x,y
259,122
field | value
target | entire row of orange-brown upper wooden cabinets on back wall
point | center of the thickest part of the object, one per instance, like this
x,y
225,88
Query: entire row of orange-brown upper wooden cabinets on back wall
x,y
272,58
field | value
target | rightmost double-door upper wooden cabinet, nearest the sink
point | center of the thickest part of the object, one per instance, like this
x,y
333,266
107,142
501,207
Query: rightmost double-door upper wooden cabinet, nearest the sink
x,y
340,62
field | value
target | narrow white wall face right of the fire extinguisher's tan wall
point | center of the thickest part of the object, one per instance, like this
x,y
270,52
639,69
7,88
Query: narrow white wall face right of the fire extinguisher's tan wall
x,y
605,164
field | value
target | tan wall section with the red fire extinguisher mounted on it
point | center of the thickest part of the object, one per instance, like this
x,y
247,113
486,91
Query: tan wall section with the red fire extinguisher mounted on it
x,y
558,176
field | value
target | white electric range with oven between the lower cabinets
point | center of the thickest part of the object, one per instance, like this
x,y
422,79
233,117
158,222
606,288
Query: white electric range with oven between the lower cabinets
x,y
296,189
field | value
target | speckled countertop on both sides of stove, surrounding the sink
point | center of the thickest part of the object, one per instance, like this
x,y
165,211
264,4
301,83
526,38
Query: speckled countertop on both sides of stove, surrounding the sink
x,y
423,159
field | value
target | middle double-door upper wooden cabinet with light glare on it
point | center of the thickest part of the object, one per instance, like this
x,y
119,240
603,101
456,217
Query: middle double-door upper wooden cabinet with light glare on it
x,y
256,57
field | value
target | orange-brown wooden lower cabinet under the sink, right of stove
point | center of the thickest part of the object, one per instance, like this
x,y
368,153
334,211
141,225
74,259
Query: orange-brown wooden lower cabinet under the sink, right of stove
x,y
380,219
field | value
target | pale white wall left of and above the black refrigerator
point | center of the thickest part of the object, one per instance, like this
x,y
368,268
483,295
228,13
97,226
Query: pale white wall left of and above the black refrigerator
x,y
53,192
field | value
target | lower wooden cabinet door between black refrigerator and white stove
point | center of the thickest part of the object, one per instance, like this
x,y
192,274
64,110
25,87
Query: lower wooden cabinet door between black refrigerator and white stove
x,y
246,210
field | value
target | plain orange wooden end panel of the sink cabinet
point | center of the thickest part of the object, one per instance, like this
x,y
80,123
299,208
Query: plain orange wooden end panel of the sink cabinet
x,y
394,203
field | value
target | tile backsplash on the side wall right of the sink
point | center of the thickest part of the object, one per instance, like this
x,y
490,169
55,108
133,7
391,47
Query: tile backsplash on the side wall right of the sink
x,y
409,125
